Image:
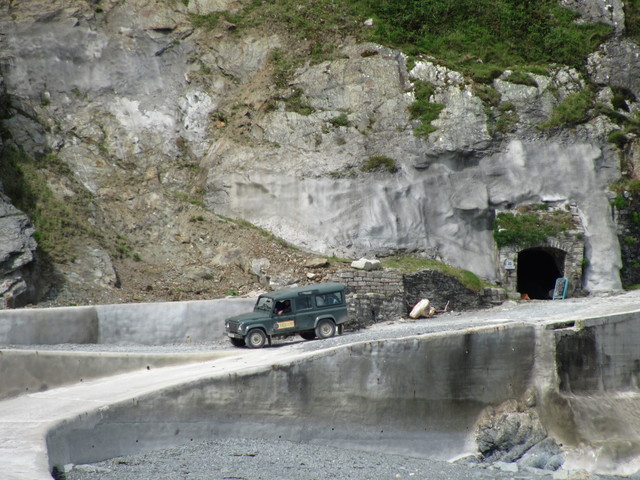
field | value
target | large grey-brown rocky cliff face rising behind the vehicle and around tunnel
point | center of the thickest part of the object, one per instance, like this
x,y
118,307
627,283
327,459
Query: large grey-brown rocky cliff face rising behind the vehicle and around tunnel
x,y
169,126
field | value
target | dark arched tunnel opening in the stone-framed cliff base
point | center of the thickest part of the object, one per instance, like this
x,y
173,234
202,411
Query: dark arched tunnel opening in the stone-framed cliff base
x,y
538,269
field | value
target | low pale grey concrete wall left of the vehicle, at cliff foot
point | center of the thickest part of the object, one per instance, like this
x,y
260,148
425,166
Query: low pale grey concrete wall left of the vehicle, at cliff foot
x,y
144,323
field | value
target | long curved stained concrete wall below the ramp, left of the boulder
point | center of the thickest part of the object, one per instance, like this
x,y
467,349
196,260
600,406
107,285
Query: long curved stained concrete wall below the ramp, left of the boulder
x,y
418,395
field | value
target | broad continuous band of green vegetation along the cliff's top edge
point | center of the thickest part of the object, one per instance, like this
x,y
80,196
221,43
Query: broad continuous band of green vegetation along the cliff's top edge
x,y
481,35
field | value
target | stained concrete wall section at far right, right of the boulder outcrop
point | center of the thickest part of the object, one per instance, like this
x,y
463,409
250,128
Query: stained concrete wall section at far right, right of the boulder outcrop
x,y
595,400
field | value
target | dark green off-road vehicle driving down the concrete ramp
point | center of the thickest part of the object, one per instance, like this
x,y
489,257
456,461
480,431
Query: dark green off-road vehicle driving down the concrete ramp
x,y
312,311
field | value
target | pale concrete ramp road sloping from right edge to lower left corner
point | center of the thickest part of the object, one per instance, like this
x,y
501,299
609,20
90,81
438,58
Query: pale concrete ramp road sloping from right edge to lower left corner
x,y
26,420
